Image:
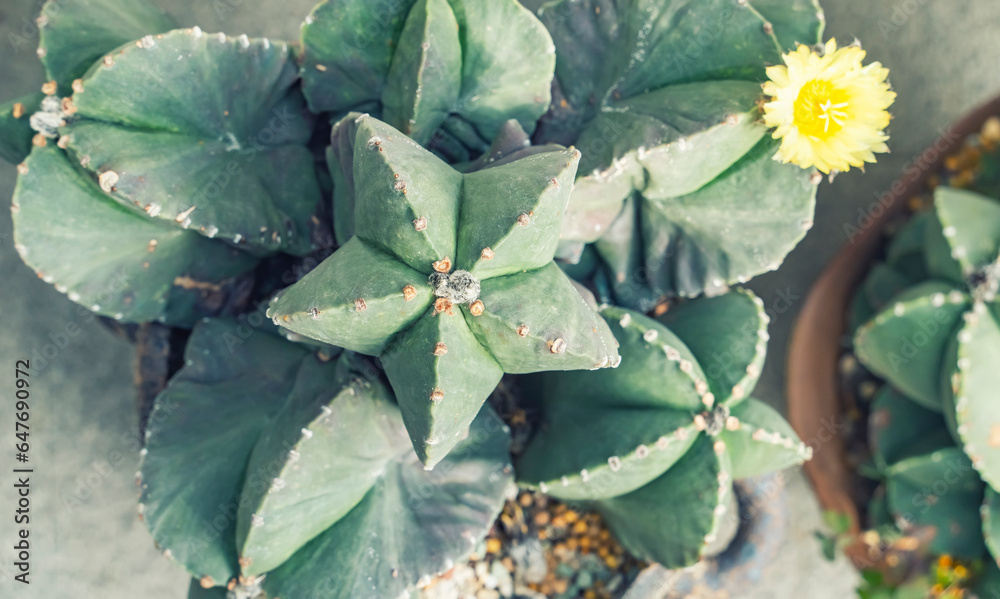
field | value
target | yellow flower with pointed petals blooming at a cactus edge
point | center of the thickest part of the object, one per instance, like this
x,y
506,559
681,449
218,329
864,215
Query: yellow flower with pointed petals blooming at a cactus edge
x,y
828,110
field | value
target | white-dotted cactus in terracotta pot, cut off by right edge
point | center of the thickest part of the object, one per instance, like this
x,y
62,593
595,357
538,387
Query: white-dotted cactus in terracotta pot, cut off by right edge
x,y
938,339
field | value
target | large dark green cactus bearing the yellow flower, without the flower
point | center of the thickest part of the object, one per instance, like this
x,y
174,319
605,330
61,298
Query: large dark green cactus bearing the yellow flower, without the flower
x,y
676,185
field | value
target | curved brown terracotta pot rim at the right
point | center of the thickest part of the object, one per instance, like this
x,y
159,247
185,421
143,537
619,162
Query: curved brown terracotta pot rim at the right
x,y
816,401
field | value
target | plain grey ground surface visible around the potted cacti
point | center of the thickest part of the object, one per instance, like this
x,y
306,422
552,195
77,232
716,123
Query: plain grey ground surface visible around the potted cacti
x,y
86,541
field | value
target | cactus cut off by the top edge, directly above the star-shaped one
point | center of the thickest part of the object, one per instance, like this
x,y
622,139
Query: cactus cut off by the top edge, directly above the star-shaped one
x,y
445,72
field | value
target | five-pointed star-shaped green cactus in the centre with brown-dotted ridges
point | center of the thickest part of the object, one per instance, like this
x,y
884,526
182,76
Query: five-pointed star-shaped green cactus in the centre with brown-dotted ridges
x,y
449,279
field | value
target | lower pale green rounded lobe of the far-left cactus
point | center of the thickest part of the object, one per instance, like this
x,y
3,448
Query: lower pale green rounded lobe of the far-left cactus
x,y
113,260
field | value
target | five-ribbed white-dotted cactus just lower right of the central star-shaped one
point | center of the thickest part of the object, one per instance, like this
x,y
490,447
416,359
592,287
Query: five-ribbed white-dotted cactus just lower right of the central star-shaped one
x,y
656,443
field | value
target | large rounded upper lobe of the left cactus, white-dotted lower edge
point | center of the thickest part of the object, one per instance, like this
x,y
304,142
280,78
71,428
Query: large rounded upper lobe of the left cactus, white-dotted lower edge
x,y
189,126
